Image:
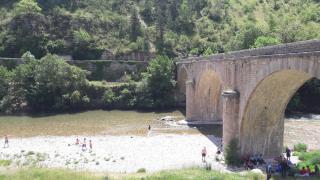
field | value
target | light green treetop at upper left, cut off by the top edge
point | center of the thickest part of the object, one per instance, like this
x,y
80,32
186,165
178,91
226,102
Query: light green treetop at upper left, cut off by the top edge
x,y
27,7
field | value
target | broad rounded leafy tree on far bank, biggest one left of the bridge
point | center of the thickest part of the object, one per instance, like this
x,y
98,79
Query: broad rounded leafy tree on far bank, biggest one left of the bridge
x,y
52,78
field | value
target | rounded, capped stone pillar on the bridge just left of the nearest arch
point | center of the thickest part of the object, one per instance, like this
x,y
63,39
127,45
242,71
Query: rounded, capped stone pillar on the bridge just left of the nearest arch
x,y
231,130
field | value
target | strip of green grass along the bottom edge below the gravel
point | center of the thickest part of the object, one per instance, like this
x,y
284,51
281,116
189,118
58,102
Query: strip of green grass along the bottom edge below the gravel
x,y
52,174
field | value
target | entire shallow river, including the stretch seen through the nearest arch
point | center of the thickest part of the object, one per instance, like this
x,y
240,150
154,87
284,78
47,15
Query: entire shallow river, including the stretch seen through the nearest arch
x,y
304,129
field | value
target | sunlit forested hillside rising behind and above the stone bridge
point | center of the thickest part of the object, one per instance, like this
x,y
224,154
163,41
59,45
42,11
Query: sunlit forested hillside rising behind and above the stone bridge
x,y
87,28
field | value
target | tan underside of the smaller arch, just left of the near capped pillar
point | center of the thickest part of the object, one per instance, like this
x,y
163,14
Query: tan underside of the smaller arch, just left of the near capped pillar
x,y
207,97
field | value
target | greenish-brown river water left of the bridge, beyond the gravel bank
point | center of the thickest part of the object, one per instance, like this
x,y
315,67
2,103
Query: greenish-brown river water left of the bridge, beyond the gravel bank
x,y
98,122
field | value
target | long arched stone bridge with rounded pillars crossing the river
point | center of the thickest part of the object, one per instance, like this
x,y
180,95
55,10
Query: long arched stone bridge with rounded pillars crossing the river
x,y
248,91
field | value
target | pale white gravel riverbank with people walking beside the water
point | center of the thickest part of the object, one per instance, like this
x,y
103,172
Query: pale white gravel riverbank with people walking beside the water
x,y
120,154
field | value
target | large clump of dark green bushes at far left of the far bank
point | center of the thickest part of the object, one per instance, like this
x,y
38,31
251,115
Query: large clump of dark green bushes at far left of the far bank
x,y
46,84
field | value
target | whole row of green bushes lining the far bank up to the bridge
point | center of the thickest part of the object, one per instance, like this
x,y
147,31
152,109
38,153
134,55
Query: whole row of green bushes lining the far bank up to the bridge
x,y
51,84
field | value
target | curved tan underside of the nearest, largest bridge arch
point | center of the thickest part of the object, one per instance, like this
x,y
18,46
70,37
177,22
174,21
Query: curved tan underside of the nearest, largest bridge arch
x,y
262,124
